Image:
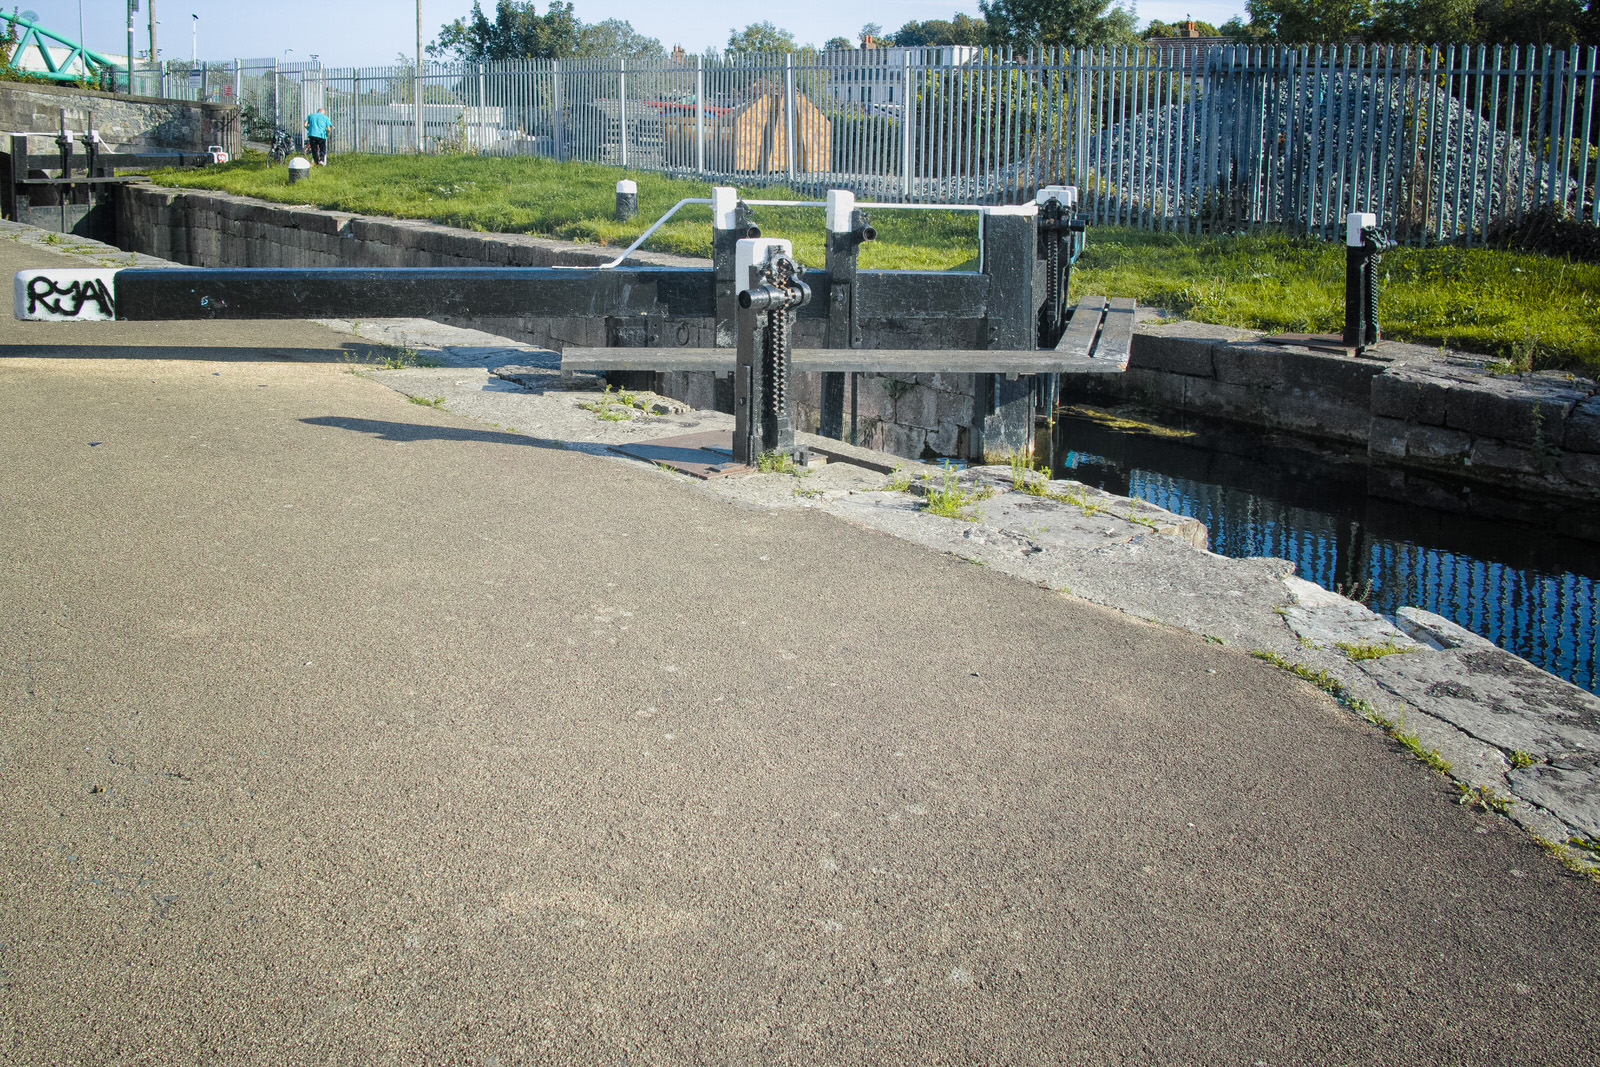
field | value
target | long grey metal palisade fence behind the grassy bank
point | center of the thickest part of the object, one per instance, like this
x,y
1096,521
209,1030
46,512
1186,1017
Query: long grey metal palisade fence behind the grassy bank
x,y
1441,142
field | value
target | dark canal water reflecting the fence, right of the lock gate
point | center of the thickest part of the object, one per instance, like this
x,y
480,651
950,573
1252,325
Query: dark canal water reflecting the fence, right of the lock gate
x,y
1516,581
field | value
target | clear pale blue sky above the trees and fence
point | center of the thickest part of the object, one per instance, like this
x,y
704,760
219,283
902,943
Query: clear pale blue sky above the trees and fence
x,y
370,33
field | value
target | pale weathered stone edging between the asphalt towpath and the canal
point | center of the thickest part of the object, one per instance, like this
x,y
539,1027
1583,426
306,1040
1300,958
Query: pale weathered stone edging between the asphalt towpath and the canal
x,y
1438,687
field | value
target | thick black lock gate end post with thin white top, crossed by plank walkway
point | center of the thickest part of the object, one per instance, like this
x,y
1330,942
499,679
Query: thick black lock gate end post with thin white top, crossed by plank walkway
x,y
1004,404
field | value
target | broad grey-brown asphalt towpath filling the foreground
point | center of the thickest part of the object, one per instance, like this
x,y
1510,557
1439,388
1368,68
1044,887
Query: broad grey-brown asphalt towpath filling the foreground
x,y
343,730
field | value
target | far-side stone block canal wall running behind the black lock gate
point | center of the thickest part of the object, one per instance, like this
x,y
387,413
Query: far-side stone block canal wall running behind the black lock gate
x,y
1410,409
